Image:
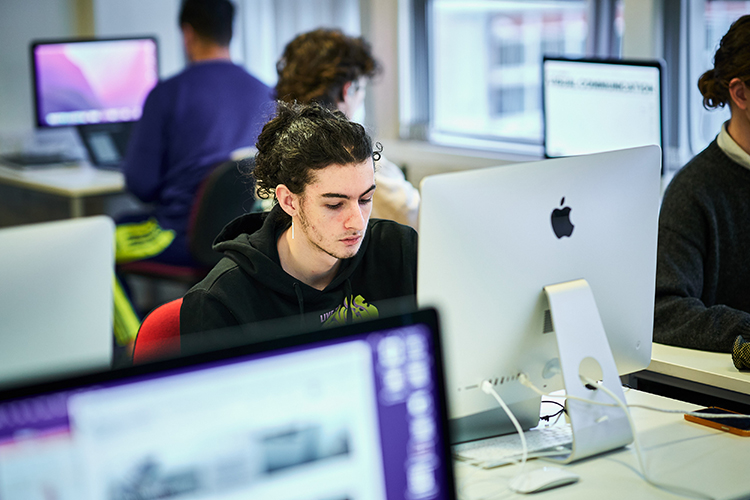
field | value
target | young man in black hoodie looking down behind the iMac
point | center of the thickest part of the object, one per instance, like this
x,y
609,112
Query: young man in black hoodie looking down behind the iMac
x,y
317,250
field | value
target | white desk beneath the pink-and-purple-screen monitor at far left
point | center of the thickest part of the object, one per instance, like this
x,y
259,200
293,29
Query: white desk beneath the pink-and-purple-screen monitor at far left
x,y
74,183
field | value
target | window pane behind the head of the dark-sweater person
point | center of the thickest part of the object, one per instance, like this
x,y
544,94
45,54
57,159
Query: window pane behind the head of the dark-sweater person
x,y
718,17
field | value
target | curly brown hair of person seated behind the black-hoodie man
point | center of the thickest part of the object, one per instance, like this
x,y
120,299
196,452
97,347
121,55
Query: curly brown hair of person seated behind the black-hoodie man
x,y
316,65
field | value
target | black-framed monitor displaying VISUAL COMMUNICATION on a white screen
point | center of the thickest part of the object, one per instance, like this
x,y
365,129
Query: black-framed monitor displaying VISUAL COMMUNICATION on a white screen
x,y
596,105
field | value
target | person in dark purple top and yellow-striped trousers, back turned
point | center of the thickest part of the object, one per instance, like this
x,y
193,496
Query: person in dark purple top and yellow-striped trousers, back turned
x,y
190,122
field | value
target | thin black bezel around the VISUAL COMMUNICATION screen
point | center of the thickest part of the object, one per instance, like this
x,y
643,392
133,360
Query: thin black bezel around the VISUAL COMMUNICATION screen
x,y
658,64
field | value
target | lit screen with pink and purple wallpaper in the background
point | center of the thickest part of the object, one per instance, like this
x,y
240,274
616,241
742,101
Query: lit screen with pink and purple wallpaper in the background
x,y
102,81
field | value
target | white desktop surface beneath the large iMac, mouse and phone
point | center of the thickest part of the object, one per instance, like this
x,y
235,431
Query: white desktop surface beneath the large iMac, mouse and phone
x,y
675,452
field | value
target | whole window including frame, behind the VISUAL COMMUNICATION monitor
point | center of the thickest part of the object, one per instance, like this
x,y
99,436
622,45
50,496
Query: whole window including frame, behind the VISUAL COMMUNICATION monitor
x,y
484,66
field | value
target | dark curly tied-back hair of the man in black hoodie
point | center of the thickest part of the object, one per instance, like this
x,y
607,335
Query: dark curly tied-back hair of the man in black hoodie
x,y
301,138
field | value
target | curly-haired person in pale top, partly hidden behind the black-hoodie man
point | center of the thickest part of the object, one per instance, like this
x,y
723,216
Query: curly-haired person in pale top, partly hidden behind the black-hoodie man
x,y
331,68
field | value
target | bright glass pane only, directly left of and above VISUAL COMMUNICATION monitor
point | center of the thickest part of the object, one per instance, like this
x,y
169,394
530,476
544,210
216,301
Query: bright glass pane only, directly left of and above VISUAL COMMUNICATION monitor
x,y
486,63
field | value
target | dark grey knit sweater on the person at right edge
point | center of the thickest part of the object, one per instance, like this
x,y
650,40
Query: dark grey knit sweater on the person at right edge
x,y
703,261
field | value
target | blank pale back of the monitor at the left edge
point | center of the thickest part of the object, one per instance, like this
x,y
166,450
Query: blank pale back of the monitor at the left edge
x,y
55,298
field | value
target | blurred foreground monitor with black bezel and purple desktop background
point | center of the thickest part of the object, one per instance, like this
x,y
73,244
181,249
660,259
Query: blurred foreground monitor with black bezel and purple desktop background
x,y
347,413
